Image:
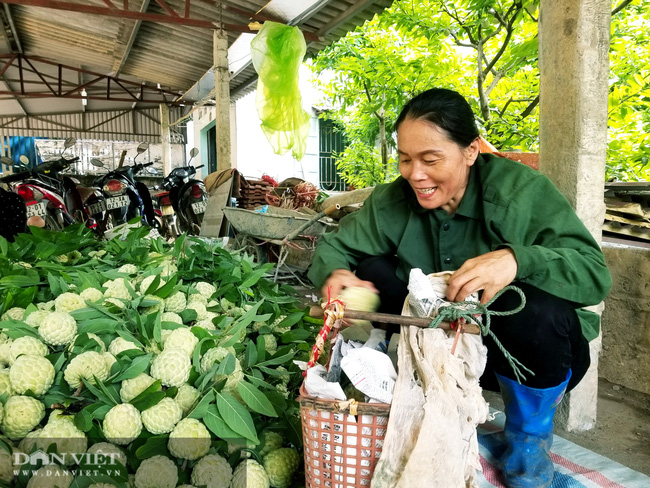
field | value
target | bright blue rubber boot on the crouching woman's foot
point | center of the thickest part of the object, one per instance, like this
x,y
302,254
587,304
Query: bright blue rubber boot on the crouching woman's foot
x,y
526,462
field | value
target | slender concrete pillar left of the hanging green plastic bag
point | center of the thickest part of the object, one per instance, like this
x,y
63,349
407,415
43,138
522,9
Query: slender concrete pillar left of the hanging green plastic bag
x,y
222,98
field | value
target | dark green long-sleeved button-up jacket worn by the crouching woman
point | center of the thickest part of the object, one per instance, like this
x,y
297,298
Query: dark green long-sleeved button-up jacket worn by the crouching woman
x,y
506,204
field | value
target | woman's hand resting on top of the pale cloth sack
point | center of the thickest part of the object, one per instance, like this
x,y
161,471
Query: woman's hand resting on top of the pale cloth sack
x,y
489,272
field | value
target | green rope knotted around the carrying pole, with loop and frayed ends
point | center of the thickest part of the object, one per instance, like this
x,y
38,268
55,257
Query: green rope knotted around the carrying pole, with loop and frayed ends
x,y
466,310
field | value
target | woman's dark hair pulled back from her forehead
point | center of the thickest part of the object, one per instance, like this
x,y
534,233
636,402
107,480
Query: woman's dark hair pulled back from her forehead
x,y
446,109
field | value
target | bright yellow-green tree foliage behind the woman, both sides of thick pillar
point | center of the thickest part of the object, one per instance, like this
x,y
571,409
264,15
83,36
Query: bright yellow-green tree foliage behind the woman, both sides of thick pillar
x,y
487,51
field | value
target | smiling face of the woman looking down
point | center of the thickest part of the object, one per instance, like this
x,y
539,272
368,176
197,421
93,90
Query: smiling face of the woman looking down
x,y
436,167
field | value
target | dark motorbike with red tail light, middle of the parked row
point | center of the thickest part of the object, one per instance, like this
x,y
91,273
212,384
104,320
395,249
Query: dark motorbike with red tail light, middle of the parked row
x,y
126,198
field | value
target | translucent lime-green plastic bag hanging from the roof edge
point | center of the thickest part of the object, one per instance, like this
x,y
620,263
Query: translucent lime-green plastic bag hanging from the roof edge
x,y
277,51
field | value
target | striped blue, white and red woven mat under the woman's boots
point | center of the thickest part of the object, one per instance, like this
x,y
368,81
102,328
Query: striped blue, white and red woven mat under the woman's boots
x,y
575,466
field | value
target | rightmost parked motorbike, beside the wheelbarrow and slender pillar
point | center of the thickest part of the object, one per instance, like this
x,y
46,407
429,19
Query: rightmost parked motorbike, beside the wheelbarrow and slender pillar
x,y
184,197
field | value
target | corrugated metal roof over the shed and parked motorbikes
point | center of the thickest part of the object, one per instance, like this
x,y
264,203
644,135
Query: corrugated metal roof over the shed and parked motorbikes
x,y
175,57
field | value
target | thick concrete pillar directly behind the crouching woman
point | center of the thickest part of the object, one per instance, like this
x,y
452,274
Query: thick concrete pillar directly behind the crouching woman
x,y
574,69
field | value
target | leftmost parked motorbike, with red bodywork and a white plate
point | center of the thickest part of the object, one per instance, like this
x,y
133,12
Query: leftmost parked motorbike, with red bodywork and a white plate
x,y
48,193
